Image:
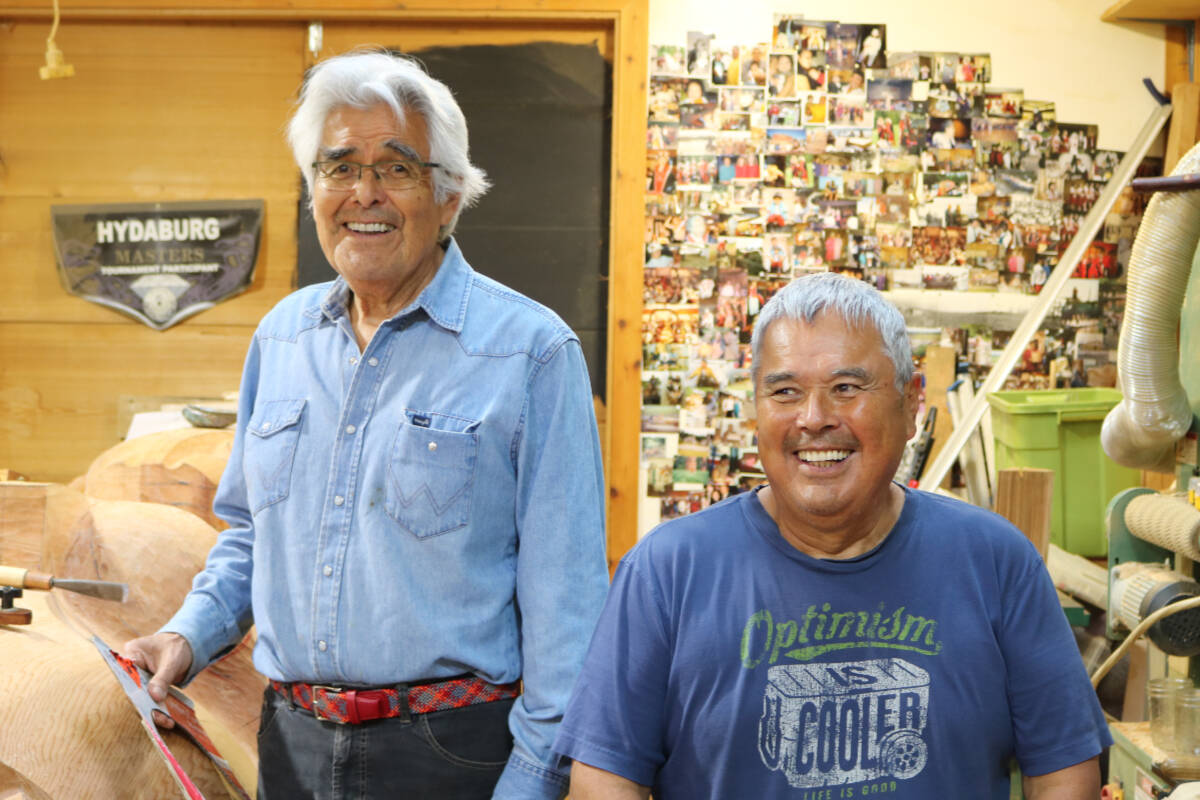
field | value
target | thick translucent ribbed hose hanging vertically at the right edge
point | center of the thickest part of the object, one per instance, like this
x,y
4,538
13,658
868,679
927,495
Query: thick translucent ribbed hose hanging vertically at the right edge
x,y
1141,432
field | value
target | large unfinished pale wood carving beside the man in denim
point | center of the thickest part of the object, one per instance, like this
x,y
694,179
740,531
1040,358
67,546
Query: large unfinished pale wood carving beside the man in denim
x,y
62,705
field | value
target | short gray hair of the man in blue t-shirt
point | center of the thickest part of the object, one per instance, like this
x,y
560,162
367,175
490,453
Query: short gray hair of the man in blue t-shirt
x,y
861,305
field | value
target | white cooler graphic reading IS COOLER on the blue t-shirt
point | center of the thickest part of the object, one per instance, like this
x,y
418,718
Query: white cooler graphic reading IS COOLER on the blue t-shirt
x,y
832,724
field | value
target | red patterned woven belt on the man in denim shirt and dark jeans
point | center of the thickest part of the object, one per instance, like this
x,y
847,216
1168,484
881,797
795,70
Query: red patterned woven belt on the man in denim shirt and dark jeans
x,y
352,707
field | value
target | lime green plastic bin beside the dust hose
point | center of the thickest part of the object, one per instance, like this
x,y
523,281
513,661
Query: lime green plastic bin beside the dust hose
x,y
1060,430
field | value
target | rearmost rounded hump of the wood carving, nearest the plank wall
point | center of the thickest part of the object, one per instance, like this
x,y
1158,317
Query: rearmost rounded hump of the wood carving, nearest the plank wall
x,y
179,468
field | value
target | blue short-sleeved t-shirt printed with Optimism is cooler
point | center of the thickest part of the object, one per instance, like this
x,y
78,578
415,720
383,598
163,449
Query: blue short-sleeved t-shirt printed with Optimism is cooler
x,y
730,665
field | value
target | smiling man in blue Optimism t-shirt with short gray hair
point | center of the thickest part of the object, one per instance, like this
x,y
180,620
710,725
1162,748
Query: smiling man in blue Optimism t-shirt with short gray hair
x,y
833,635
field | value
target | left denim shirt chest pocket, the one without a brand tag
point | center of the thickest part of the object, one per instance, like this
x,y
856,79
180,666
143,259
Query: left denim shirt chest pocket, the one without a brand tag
x,y
271,450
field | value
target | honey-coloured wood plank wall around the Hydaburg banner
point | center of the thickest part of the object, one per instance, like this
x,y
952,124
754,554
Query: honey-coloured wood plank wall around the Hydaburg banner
x,y
158,111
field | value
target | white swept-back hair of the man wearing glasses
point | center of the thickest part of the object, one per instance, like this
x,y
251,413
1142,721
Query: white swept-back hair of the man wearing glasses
x,y
365,79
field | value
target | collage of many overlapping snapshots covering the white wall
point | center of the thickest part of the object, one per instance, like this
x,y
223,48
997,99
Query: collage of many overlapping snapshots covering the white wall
x,y
821,149
